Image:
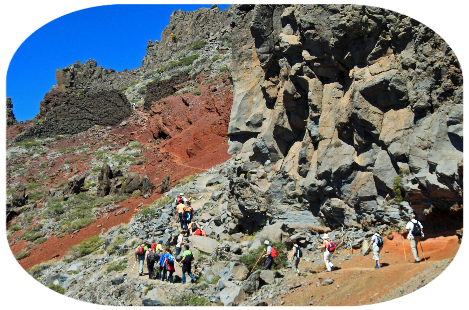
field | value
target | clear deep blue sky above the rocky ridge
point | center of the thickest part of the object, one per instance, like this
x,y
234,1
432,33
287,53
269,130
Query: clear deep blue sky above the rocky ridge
x,y
39,36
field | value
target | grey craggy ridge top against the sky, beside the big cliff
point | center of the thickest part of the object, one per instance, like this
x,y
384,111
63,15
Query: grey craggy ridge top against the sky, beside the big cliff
x,y
184,29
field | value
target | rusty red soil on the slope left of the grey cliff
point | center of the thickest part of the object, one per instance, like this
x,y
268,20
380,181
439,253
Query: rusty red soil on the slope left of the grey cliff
x,y
192,137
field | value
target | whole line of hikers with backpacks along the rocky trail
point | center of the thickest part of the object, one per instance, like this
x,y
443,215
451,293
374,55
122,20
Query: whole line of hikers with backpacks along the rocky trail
x,y
159,258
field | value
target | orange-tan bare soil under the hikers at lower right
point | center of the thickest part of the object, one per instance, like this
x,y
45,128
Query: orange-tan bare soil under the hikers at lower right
x,y
358,283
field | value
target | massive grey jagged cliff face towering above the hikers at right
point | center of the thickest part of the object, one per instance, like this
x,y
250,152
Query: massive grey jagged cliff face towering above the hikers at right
x,y
352,104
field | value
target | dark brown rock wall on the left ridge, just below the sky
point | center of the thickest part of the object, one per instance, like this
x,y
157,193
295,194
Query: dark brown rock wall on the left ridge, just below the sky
x,y
77,113
